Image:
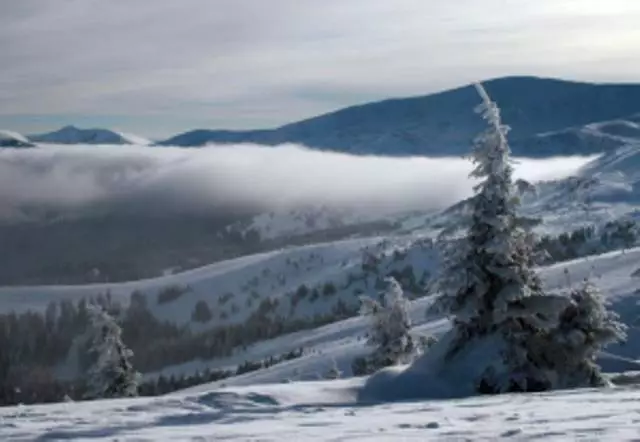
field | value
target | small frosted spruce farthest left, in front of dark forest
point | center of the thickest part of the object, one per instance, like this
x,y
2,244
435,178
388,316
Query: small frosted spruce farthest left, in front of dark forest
x,y
111,374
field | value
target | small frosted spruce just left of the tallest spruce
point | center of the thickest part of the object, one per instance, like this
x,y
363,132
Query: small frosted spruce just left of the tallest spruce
x,y
389,328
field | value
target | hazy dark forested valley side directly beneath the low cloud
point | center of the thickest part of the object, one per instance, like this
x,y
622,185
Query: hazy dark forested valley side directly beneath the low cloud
x,y
119,247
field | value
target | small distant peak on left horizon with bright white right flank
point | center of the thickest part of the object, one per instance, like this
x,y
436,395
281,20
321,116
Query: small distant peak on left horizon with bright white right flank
x,y
73,135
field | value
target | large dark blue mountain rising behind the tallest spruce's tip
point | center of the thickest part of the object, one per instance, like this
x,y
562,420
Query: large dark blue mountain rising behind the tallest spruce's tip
x,y
547,117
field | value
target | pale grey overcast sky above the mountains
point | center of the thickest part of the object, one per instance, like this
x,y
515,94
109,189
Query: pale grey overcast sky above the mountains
x,y
157,67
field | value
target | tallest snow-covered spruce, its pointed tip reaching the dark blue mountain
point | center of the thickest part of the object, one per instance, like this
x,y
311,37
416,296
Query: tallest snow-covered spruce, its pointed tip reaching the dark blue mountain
x,y
488,285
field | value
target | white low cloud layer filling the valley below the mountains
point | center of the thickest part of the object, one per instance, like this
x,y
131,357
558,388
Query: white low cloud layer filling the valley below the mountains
x,y
151,180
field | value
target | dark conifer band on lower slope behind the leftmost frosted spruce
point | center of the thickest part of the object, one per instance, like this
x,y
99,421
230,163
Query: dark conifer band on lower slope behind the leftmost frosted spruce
x,y
37,350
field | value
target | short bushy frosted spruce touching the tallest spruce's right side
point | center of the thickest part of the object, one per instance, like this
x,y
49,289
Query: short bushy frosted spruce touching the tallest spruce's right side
x,y
584,328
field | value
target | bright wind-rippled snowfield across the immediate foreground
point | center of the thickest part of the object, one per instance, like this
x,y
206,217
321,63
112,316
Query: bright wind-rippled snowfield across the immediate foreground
x,y
327,411
